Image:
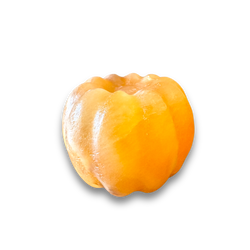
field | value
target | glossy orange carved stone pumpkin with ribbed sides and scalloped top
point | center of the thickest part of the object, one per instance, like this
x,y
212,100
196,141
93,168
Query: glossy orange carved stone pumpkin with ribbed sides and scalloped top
x,y
128,133
